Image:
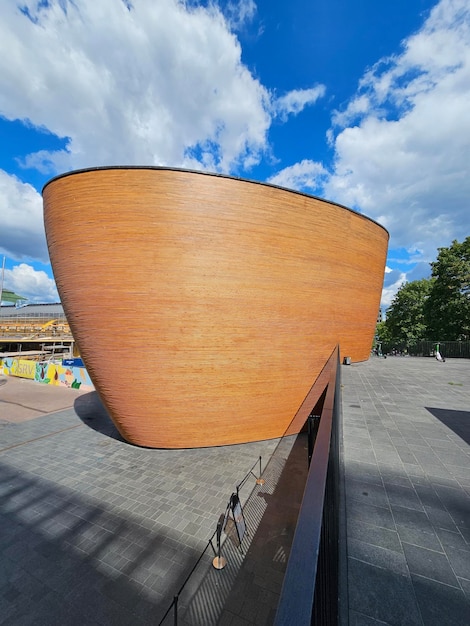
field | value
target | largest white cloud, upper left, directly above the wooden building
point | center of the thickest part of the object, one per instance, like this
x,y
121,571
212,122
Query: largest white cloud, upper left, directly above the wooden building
x,y
159,83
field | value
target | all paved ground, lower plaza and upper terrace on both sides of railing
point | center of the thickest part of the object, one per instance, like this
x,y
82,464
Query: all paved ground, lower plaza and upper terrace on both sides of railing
x,y
96,531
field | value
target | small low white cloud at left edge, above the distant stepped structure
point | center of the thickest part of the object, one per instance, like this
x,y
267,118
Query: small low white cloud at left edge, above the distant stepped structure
x,y
35,285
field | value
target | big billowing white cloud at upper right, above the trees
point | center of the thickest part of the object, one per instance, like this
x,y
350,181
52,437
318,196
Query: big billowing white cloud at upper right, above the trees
x,y
402,144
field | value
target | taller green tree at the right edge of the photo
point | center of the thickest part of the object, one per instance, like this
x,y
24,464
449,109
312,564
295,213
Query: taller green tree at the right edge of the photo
x,y
448,307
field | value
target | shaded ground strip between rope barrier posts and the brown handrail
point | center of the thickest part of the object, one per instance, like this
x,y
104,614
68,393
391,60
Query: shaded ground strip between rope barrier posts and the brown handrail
x,y
248,588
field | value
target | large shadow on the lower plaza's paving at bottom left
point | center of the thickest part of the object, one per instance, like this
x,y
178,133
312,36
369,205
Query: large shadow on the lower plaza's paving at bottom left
x,y
66,561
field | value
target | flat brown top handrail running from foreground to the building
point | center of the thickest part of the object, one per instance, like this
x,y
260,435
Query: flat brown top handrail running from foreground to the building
x,y
296,601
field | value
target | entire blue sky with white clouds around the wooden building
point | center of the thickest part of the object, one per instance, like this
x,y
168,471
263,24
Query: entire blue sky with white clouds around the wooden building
x,y
364,103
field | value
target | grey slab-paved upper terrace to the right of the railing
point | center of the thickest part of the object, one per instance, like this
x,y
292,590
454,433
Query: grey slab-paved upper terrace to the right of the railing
x,y
406,429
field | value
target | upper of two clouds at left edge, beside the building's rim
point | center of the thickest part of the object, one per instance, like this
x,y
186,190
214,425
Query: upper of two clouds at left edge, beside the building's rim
x,y
22,233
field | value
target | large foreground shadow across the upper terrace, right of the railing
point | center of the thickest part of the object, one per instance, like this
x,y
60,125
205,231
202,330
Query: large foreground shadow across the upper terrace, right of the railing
x,y
408,559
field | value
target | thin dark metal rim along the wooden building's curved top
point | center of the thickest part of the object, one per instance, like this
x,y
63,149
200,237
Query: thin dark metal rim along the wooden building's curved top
x,y
215,174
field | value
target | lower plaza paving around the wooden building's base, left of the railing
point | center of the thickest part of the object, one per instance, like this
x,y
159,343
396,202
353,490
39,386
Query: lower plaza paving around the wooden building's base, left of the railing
x,y
94,530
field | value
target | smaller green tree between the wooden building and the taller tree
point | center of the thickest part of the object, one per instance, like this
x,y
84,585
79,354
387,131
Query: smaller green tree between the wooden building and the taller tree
x,y
406,323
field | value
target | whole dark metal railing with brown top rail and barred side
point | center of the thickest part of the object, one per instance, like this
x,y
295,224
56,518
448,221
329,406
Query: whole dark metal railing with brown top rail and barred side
x,y
309,593
